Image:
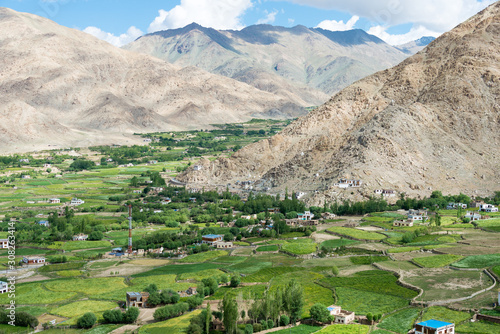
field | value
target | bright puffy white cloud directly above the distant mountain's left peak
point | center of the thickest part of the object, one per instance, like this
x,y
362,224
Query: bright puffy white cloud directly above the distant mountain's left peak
x,y
218,14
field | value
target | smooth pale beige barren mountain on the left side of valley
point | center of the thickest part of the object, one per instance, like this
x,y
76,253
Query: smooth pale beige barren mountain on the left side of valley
x,y
63,87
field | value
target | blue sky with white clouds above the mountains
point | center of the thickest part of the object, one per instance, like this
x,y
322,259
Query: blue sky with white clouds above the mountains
x,y
122,21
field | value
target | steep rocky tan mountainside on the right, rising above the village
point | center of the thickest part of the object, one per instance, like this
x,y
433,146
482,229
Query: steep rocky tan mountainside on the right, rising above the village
x,y
430,123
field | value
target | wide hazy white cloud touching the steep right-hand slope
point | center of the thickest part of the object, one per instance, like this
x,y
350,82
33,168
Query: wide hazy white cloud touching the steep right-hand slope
x,y
434,15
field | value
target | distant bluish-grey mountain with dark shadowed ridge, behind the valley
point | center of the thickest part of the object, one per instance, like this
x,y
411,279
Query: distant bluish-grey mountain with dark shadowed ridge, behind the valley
x,y
309,63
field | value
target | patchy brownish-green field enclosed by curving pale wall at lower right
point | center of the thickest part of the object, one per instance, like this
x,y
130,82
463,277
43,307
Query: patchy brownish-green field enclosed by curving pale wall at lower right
x,y
443,284
